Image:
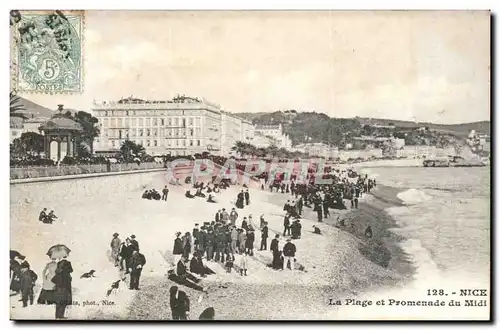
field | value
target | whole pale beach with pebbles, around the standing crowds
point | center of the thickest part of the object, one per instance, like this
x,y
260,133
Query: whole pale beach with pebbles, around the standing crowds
x,y
339,264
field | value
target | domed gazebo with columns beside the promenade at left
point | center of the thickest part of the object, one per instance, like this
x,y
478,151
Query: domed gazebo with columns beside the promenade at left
x,y
61,136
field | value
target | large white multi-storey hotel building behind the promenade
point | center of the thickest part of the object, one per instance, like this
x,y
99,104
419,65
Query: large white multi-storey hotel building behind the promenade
x,y
181,126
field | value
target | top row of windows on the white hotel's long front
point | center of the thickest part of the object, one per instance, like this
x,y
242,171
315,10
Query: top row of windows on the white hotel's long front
x,y
139,122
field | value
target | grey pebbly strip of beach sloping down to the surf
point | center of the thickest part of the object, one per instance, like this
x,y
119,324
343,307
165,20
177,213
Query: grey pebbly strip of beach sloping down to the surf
x,y
365,265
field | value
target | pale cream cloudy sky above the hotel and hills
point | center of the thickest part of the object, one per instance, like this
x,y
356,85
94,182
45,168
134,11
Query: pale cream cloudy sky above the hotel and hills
x,y
406,65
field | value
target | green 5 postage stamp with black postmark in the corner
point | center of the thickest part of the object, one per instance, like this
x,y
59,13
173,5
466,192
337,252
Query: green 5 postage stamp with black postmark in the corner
x,y
47,51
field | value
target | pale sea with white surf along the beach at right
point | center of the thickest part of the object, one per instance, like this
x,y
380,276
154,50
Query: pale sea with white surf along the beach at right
x,y
445,220
